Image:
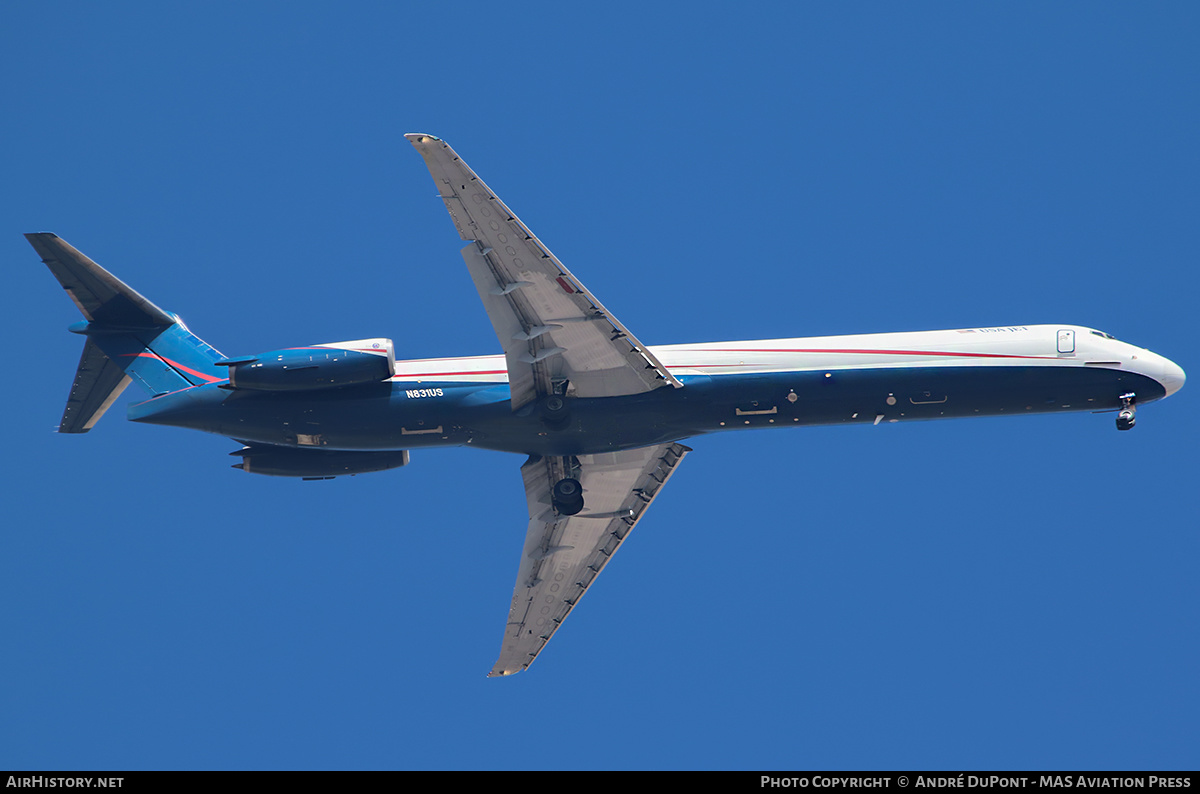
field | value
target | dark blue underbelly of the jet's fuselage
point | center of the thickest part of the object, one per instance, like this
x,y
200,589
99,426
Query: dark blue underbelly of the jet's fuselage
x,y
447,414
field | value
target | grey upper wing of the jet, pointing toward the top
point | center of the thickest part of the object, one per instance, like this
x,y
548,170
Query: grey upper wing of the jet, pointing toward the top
x,y
553,329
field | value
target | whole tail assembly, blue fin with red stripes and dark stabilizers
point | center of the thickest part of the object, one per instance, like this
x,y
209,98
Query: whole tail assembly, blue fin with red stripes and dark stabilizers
x,y
129,339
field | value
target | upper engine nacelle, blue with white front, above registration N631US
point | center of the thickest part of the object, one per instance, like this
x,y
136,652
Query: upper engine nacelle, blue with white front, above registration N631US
x,y
321,366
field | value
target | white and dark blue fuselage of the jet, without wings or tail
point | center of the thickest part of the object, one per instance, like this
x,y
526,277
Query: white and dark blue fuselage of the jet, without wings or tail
x,y
866,380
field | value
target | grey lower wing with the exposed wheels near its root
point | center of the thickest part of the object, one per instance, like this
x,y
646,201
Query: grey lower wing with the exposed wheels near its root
x,y
565,555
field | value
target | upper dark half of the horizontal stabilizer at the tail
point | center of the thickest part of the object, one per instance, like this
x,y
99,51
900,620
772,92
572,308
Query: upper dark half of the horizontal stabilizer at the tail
x,y
103,298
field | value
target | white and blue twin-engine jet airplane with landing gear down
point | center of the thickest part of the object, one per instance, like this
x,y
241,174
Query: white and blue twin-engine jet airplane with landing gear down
x,y
599,416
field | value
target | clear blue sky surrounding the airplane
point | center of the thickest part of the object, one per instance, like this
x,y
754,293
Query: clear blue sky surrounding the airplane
x,y
1012,593
